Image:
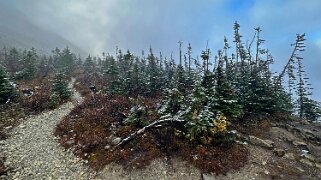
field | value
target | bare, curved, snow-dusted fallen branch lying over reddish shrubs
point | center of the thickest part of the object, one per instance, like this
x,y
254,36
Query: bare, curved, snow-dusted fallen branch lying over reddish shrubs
x,y
150,126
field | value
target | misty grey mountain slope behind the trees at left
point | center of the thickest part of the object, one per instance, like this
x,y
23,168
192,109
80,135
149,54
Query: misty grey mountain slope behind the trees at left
x,y
18,31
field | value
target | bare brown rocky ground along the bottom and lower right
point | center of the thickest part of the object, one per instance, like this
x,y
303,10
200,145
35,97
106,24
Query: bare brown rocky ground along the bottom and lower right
x,y
286,151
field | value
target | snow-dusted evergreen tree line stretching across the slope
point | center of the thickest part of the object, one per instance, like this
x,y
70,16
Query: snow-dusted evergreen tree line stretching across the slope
x,y
236,82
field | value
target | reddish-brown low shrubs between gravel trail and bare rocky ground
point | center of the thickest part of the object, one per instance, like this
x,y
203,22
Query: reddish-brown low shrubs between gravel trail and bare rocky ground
x,y
94,128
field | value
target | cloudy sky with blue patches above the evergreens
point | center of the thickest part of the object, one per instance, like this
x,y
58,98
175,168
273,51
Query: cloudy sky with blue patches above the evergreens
x,y
101,25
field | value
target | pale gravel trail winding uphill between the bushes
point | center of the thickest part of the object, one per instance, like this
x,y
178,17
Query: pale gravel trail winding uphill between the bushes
x,y
34,153
